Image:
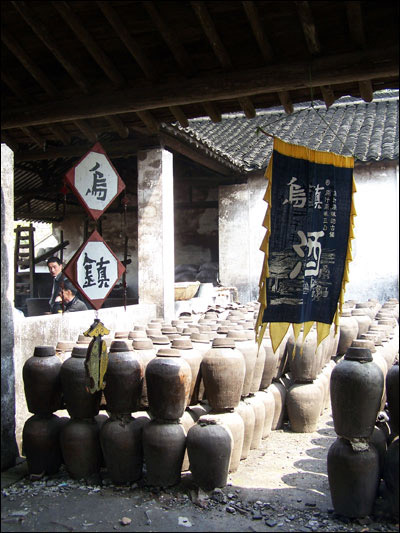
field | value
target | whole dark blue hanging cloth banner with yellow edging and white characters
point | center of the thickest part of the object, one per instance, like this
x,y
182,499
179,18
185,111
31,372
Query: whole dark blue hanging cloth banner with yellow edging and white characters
x,y
307,246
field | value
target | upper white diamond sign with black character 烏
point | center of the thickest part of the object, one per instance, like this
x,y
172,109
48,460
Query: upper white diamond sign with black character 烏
x,y
95,181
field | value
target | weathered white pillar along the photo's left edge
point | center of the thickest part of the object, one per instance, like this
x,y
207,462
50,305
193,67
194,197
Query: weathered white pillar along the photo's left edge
x,y
9,450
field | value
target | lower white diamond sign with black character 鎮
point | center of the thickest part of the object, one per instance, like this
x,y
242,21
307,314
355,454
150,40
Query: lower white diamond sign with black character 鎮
x,y
94,270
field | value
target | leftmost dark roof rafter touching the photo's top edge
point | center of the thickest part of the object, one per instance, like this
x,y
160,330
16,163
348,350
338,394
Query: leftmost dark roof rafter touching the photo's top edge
x,y
44,35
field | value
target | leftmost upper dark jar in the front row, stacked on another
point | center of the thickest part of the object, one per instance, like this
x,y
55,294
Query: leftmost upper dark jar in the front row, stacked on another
x,y
41,375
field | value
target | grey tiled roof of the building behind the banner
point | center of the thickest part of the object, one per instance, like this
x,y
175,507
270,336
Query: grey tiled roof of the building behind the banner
x,y
368,131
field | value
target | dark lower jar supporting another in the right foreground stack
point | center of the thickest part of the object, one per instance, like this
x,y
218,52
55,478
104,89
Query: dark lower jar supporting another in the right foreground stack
x,y
353,479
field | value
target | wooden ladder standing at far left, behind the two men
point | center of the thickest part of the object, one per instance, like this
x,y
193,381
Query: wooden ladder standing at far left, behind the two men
x,y
24,259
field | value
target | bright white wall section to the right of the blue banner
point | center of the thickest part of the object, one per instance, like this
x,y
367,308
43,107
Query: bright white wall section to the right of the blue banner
x,y
374,269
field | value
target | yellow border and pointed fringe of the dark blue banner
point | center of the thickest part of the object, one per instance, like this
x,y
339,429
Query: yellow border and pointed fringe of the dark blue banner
x,y
278,330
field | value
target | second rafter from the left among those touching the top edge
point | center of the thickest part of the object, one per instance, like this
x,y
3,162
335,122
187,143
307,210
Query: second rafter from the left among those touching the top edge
x,y
87,40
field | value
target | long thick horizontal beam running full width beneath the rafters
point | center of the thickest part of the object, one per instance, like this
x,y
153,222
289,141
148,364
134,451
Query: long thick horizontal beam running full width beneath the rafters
x,y
326,70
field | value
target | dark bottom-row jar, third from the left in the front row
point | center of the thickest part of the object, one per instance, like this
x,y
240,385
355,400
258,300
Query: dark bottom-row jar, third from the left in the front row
x,y
121,443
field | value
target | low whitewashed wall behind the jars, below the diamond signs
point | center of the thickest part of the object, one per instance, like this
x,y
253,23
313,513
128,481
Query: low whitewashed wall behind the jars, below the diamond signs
x,y
48,330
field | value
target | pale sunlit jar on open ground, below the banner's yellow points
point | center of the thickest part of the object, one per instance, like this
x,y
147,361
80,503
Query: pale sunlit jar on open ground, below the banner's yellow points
x,y
303,401
